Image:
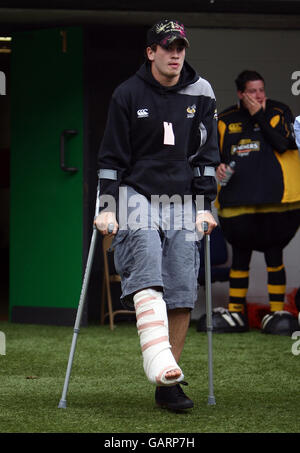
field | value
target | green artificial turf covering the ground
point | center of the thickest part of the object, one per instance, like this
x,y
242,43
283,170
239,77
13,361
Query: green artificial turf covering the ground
x,y
256,382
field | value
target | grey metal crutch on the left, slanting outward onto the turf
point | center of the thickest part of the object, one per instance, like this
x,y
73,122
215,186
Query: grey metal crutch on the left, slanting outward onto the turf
x,y
63,401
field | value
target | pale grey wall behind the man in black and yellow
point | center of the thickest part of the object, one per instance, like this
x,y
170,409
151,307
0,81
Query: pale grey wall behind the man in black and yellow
x,y
219,55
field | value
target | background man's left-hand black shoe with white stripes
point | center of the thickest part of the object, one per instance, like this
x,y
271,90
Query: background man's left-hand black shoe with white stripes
x,y
224,321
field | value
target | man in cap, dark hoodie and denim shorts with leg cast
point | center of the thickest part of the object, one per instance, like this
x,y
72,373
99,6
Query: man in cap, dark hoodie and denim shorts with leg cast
x,y
160,141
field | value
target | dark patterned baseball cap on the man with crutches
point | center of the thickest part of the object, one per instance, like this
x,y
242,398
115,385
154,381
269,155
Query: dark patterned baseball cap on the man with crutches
x,y
165,32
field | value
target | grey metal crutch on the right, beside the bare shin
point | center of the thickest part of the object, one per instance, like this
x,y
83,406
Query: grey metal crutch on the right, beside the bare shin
x,y
209,328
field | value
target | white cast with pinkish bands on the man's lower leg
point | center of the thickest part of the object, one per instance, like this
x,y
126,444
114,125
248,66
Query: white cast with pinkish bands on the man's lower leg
x,y
152,324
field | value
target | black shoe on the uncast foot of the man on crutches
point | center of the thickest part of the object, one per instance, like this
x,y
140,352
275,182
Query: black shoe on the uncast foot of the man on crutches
x,y
173,397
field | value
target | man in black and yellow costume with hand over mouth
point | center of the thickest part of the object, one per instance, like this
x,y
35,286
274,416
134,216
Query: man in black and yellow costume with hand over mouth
x,y
259,206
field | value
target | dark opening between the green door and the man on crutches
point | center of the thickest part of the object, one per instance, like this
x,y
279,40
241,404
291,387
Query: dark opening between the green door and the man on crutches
x,y
112,54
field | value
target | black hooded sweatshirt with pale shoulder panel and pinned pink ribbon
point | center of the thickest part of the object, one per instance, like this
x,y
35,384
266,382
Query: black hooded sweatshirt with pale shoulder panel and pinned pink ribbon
x,y
135,142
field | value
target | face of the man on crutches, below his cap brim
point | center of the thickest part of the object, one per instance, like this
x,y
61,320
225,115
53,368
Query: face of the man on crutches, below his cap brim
x,y
167,63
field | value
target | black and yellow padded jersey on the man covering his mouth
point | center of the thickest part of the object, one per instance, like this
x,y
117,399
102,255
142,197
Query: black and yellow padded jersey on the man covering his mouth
x,y
267,169
